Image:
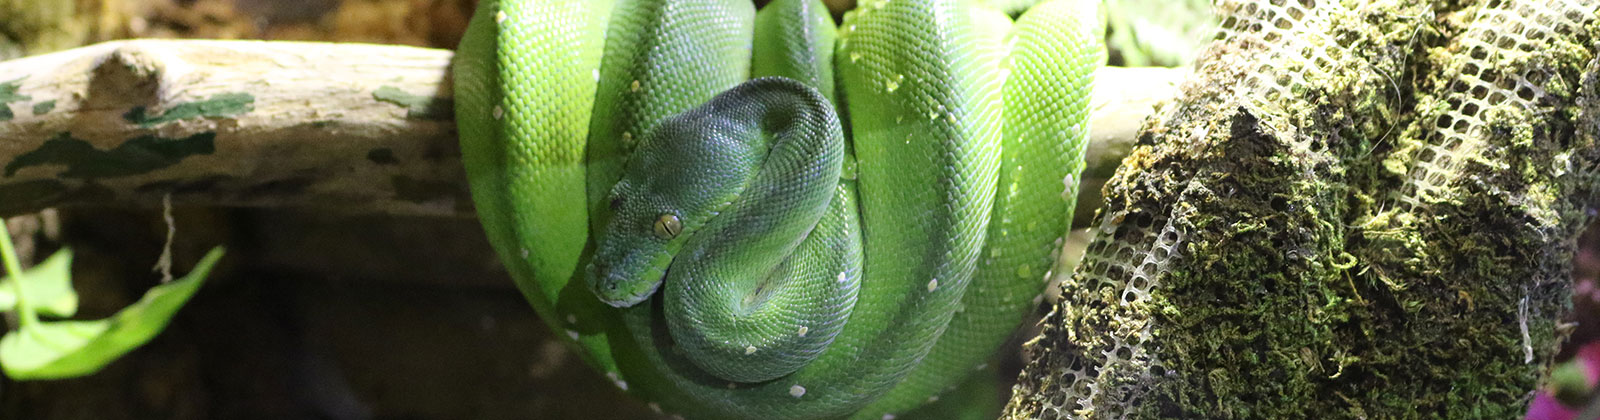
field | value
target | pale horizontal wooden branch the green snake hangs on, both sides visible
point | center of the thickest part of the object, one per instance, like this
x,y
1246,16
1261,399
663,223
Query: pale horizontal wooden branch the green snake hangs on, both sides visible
x,y
364,129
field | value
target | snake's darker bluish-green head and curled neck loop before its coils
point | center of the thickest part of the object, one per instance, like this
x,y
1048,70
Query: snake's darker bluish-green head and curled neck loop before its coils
x,y
754,179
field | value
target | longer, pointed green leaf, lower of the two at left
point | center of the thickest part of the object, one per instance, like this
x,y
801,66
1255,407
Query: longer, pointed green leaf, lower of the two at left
x,y
76,349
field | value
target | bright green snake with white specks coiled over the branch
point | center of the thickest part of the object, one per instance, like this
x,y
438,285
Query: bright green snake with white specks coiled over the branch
x,y
770,216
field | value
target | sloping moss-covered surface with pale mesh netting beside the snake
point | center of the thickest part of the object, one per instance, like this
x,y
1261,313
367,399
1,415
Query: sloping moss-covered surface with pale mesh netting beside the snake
x,y
1361,209
